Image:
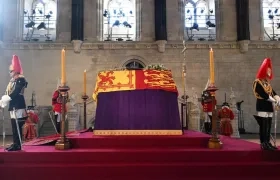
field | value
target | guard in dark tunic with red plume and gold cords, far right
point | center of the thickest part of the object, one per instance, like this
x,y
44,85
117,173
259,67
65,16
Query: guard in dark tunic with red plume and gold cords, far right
x,y
267,99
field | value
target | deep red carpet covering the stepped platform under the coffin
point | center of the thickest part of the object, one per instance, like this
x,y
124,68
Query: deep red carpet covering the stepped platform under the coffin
x,y
141,158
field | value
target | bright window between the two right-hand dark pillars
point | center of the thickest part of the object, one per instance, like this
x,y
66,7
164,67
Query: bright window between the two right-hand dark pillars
x,y
200,19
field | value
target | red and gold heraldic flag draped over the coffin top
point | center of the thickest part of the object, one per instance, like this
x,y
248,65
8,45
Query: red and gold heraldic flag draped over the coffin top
x,y
108,81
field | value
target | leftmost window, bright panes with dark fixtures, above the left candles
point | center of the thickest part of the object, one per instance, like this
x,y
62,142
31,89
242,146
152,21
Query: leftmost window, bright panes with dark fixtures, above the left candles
x,y
39,20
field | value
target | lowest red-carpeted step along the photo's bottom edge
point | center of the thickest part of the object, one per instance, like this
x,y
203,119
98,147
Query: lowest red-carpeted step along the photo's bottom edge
x,y
141,170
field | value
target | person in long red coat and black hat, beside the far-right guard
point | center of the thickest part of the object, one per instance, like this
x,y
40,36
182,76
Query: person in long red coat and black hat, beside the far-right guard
x,y
226,115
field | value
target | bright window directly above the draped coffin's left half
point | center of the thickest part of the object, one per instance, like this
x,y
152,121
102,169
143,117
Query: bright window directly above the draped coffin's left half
x,y
119,20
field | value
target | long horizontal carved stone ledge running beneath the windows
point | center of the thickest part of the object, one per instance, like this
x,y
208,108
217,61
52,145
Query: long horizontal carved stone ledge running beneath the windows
x,y
161,46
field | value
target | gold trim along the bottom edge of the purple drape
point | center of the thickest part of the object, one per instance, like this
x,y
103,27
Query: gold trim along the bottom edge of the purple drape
x,y
136,132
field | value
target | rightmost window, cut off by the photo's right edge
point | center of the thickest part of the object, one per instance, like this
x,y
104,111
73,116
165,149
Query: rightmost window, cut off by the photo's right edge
x,y
271,19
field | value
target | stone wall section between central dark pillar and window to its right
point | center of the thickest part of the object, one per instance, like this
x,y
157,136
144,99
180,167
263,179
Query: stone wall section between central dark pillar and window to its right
x,y
175,20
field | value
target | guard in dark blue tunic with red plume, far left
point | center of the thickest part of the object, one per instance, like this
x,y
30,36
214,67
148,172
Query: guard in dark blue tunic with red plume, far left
x,y
15,98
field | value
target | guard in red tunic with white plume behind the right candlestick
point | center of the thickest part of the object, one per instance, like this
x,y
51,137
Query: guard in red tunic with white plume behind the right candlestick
x,y
207,109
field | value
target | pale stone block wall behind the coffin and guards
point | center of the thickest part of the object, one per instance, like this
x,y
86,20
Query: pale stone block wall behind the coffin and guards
x,y
41,62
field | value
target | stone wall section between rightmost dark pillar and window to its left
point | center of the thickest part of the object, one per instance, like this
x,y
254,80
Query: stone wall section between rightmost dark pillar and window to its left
x,y
226,20
